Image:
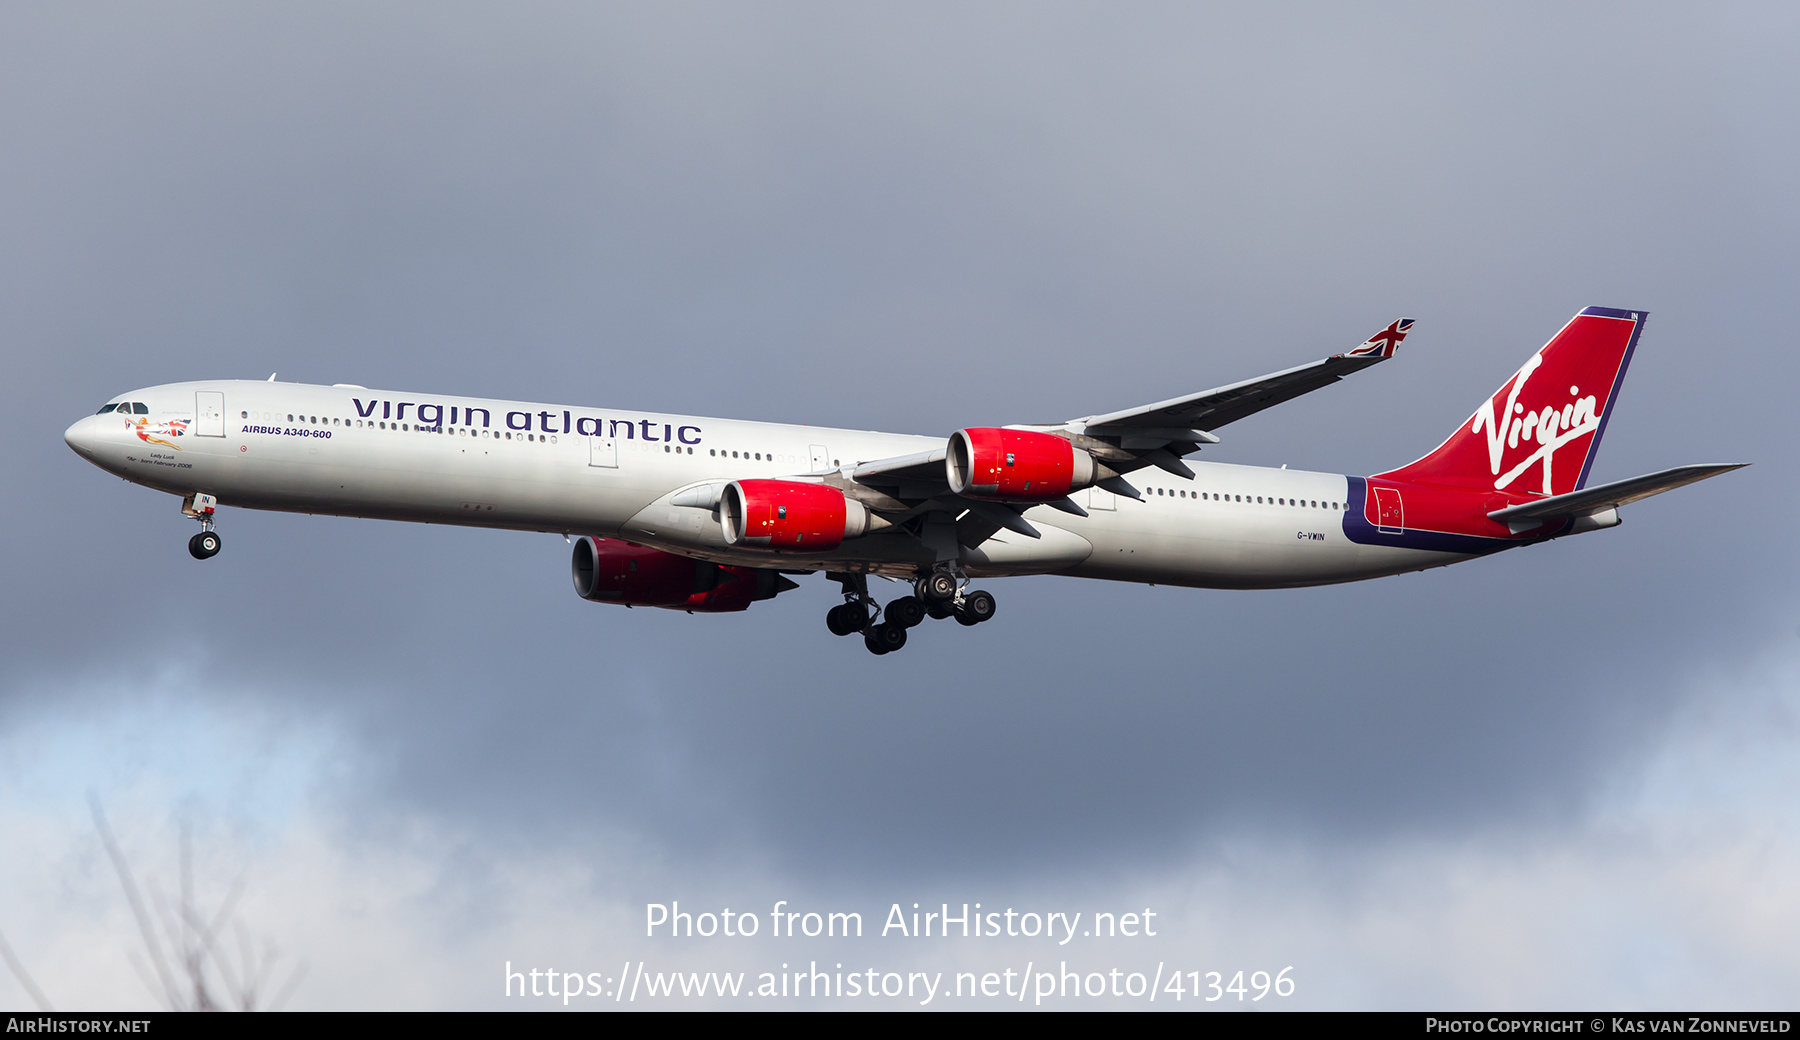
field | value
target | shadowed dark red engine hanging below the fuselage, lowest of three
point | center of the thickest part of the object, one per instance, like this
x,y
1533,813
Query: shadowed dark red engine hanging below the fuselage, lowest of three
x,y
609,571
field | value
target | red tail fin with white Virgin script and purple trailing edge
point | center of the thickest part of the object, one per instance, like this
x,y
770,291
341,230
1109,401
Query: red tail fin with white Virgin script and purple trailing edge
x,y
1540,433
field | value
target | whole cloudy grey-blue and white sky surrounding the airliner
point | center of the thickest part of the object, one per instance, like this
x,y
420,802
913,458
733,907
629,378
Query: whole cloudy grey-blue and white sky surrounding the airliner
x,y
1560,778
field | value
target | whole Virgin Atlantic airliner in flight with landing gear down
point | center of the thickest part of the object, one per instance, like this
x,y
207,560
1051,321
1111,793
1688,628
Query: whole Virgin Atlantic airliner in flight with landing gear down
x,y
712,516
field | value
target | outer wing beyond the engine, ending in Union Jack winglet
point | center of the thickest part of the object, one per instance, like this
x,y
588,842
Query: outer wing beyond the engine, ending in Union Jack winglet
x,y
1212,409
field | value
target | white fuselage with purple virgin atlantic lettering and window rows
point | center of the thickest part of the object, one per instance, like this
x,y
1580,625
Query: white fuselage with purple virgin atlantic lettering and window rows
x,y
561,469
